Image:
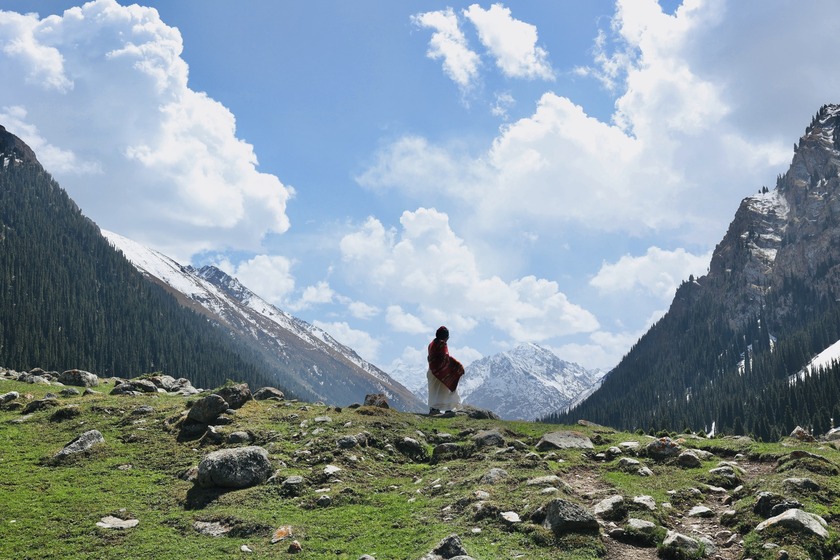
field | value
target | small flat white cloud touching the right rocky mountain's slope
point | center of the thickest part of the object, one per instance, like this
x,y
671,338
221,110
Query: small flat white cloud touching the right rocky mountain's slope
x,y
657,272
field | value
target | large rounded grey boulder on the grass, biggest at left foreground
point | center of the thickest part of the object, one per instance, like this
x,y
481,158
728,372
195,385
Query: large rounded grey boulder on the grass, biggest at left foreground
x,y
240,467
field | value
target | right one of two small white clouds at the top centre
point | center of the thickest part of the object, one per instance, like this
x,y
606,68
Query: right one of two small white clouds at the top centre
x,y
513,43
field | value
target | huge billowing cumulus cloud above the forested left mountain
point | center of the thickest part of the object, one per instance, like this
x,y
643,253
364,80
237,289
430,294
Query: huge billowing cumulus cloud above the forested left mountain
x,y
107,88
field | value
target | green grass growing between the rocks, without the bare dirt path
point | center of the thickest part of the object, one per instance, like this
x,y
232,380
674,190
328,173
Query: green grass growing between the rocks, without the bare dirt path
x,y
383,503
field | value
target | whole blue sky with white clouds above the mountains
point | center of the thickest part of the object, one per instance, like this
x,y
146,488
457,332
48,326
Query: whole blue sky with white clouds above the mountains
x,y
544,171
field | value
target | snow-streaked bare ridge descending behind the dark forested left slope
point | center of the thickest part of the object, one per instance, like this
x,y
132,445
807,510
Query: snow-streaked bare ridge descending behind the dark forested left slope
x,y
301,355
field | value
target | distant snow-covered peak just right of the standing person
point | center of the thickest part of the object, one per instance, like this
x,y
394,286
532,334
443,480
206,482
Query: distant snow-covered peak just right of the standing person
x,y
525,383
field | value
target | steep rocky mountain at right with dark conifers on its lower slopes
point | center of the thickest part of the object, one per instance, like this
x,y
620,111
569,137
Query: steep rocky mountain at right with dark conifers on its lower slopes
x,y
724,353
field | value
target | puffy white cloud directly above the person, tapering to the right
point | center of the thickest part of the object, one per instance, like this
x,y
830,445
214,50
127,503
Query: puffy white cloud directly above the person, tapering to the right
x,y
427,265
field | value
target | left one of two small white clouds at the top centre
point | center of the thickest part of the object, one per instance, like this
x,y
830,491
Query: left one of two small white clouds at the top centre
x,y
449,43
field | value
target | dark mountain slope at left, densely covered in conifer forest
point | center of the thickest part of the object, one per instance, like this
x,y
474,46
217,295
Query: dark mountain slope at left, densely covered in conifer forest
x,y
69,300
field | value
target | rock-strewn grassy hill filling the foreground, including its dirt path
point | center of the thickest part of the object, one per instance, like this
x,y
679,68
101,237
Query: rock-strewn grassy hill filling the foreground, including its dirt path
x,y
388,500
